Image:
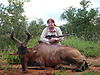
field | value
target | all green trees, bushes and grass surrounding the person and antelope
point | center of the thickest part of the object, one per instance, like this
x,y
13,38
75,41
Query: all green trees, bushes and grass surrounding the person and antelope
x,y
82,25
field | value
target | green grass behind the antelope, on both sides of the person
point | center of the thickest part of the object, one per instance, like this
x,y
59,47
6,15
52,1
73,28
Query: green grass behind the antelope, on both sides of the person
x,y
88,48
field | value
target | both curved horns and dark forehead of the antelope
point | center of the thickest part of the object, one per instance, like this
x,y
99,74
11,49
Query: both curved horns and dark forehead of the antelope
x,y
21,46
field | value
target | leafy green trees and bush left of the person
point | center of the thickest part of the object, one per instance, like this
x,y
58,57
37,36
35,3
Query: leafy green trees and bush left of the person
x,y
12,19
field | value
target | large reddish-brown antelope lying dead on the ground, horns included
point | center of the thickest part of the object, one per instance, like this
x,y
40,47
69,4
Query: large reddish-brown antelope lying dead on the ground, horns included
x,y
49,55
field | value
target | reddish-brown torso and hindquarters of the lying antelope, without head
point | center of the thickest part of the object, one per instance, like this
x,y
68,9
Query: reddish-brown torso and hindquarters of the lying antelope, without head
x,y
52,55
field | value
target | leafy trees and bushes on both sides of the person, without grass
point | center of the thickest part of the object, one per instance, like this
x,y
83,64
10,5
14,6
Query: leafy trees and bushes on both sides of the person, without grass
x,y
82,22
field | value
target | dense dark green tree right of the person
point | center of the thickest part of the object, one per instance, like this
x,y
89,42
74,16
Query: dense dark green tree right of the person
x,y
82,21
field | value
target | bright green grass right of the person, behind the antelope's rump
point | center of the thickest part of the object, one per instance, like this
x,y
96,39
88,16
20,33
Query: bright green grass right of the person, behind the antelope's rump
x,y
88,48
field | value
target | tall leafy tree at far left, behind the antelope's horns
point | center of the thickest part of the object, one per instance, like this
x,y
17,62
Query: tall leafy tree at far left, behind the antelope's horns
x,y
11,18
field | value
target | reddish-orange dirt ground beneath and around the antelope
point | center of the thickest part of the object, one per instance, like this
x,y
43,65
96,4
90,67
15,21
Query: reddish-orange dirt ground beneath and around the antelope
x,y
94,66
